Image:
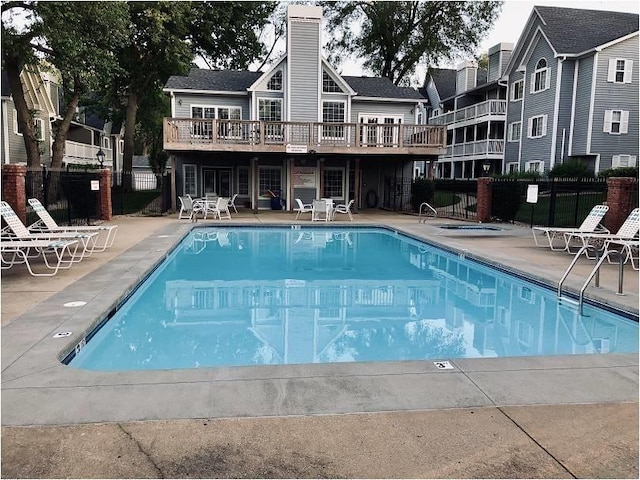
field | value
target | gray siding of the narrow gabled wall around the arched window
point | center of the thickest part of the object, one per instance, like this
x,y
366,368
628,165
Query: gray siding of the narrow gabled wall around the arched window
x,y
541,103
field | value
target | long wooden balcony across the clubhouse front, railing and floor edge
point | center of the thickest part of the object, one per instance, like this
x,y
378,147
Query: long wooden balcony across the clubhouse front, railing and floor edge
x,y
196,134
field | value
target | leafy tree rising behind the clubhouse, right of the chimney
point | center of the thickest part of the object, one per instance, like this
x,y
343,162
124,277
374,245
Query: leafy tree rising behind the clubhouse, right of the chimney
x,y
393,38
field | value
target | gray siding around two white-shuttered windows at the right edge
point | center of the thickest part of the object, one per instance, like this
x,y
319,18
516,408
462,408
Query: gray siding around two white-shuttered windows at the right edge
x,y
616,96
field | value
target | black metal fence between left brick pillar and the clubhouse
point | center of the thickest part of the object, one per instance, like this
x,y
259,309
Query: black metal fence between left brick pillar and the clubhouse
x,y
140,193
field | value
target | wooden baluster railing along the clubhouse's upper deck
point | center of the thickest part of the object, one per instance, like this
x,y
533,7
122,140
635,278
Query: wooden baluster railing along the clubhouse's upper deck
x,y
311,134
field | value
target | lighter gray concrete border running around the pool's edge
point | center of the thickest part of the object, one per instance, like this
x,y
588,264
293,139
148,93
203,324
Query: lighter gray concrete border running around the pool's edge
x,y
38,390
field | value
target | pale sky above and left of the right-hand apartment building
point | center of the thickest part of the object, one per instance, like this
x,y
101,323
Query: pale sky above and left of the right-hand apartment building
x,y
513,18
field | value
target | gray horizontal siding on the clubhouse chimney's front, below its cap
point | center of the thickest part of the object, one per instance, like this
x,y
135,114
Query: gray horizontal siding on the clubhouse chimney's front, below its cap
x,y
304,71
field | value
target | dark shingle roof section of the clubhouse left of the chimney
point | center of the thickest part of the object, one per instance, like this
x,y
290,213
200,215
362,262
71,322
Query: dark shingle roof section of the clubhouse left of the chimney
x,y
214,80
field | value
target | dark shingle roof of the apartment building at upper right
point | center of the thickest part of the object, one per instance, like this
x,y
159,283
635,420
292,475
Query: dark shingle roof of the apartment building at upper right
x,y
574,30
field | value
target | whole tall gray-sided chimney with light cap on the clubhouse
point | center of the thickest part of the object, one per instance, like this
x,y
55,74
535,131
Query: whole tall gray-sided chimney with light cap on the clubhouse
x,y
304,65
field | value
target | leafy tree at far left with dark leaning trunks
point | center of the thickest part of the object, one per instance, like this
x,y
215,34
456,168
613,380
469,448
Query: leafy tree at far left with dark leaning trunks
x,y
76,39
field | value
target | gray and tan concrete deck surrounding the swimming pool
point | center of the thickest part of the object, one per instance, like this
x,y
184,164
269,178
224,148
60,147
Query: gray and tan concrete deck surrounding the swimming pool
x,y
536,417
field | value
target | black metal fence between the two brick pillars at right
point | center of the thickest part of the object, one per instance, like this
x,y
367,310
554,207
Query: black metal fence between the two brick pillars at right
x,y
559,202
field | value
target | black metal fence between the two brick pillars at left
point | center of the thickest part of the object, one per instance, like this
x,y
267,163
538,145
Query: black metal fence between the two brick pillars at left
x,y
70,196
